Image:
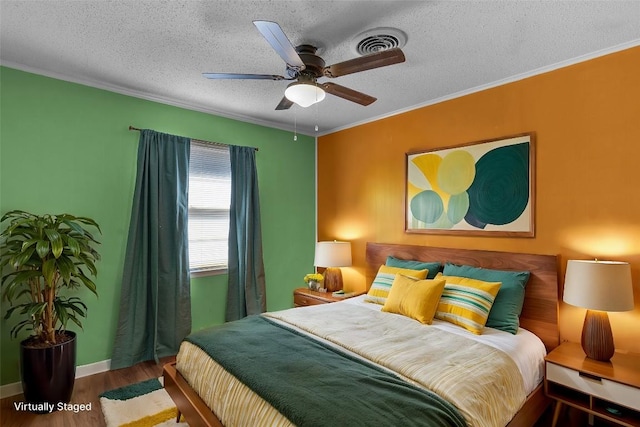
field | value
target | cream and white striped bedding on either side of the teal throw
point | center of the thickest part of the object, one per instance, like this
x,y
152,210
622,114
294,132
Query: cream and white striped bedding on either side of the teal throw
x,y
356,327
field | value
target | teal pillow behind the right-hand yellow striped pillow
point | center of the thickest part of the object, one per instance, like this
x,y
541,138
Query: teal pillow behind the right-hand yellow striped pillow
x,y
506,309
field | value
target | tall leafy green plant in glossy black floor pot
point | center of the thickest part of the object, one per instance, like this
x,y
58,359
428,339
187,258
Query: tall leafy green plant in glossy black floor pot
x,y
45,257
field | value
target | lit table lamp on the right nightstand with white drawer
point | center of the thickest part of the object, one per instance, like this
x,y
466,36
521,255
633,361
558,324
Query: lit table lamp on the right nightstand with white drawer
x,y
598,286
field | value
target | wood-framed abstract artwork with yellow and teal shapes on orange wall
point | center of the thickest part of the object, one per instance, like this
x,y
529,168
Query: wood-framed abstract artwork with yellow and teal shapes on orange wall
x,y
483,188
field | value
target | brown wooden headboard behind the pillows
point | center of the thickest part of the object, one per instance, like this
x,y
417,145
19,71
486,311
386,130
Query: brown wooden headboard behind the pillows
x,y
540,310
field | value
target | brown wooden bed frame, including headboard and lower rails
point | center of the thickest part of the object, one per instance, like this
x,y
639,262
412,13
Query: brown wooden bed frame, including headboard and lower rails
x,y
539,315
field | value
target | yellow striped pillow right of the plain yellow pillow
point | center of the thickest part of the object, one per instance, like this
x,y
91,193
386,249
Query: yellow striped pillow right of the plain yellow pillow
x,y
466,302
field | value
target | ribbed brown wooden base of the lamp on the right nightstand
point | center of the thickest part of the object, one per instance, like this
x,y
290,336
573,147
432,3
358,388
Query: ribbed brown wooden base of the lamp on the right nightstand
x,y
597,339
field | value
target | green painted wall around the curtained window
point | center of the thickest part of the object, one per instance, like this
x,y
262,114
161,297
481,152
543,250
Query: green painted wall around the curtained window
x,y
65,147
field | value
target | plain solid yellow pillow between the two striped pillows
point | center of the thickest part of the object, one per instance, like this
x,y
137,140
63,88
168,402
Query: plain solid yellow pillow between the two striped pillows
x,y
417,299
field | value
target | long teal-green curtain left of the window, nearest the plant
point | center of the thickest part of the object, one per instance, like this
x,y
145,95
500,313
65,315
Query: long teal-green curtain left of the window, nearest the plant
x,y
155,304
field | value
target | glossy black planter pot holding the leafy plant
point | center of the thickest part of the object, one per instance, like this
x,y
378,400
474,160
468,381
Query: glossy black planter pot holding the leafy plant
x,y
48,373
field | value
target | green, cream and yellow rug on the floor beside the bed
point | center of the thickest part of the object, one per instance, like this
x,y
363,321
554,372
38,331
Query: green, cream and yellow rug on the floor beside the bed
x,y
142,404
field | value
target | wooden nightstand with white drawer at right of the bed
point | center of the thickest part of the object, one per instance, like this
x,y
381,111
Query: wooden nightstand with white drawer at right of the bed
x,y
609,390
